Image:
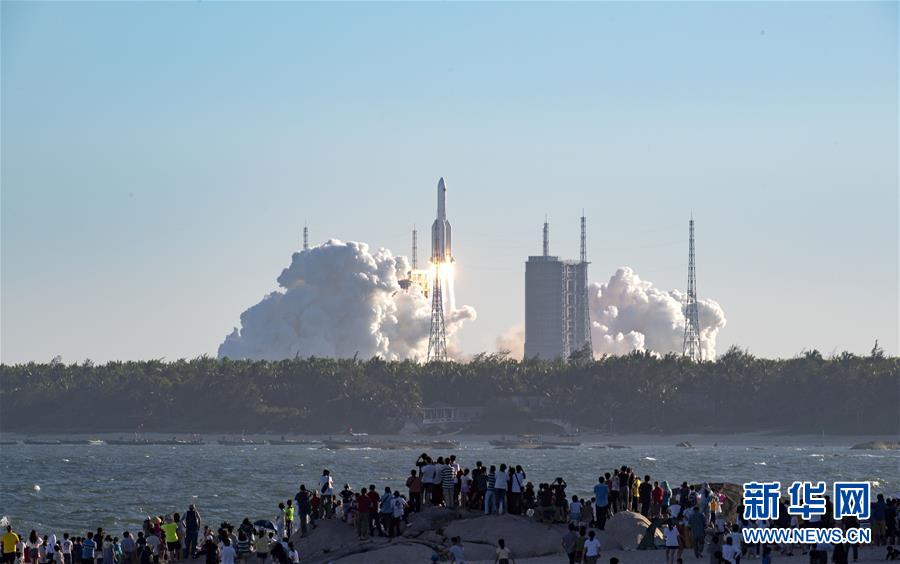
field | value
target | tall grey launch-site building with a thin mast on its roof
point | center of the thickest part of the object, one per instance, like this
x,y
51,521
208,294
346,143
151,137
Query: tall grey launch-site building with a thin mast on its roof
x,y
556,311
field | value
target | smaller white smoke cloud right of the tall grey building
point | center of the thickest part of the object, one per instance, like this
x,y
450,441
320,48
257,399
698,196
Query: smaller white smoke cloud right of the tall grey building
x,y
630,314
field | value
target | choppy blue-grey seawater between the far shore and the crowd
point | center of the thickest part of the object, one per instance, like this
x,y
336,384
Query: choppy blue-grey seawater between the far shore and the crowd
x,y
59,488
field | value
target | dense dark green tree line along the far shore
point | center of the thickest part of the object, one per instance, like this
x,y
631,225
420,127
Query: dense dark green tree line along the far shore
x,y
635,393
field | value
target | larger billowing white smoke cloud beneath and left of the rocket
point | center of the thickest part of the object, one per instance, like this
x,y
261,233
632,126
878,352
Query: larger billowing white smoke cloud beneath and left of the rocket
x,y
339,300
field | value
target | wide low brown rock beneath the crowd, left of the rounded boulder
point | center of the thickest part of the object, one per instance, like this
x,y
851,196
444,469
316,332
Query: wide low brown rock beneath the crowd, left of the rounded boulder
x,y
524,536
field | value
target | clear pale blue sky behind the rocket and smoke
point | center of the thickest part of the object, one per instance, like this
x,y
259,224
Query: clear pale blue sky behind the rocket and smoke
x,y
159,159
